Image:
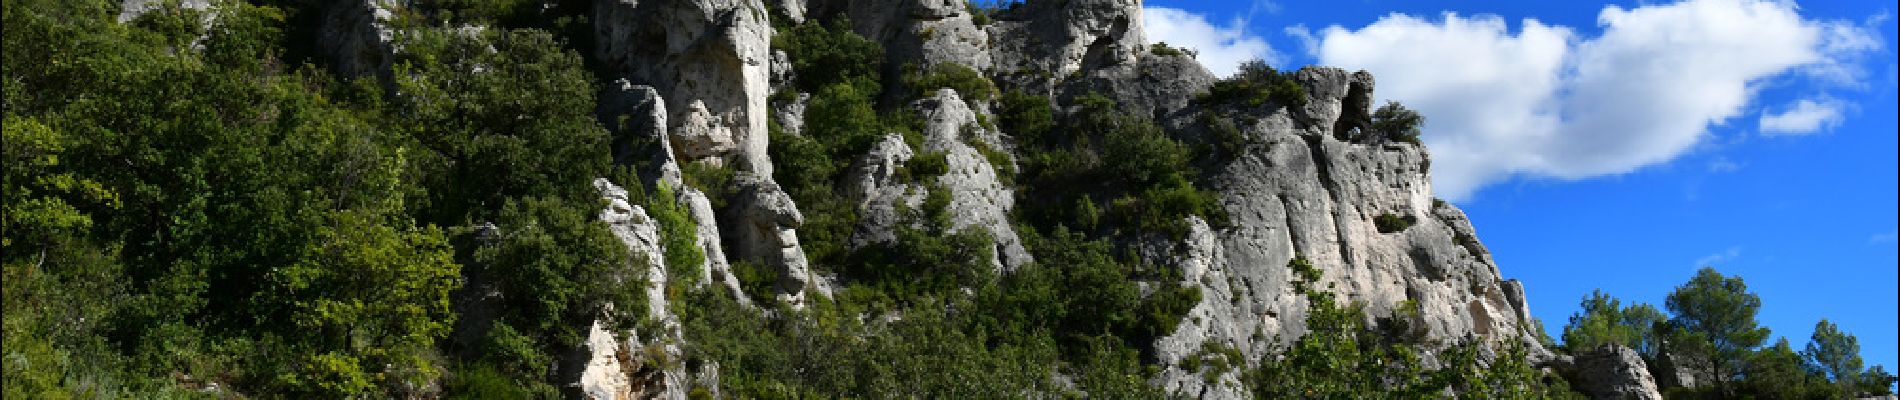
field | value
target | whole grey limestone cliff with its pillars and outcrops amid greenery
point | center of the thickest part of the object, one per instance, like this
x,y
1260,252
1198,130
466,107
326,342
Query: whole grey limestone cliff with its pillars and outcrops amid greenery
x,y
1299,187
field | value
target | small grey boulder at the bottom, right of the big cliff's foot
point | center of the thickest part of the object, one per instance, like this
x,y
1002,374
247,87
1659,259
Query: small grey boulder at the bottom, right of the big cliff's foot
x,y
1612,373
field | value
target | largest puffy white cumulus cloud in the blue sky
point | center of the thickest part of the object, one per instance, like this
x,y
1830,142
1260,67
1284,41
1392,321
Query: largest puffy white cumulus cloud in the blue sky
x,y
1544,101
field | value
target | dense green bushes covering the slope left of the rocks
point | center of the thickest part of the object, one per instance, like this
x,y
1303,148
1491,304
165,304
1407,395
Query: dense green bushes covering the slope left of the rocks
x,y
218,217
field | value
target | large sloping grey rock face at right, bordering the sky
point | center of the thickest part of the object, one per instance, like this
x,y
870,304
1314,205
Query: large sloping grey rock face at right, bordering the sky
x,y
1299,191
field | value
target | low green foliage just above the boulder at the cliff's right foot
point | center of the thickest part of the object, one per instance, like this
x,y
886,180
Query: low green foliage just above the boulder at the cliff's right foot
x,y
1605,321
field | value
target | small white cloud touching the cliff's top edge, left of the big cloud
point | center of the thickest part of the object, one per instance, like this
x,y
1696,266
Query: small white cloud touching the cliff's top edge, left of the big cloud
x,y
1219,48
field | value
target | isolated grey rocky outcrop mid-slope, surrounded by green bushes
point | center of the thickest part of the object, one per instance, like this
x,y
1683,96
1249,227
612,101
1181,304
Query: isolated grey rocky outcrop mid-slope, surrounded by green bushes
x,y
979,200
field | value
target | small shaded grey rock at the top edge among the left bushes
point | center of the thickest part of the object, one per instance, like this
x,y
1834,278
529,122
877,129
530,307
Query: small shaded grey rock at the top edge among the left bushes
x,y
358,39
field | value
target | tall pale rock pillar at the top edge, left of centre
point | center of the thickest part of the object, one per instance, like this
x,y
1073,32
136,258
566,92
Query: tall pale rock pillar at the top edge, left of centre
x,y
712,56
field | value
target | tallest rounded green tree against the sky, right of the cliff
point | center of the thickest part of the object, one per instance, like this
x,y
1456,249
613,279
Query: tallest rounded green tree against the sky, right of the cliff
x,y
1719,314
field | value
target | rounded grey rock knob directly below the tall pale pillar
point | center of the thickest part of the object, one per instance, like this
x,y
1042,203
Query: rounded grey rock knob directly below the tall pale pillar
x,y
765,234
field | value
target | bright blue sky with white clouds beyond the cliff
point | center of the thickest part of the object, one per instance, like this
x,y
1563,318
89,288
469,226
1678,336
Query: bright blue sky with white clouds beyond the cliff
x,y
1624,145
